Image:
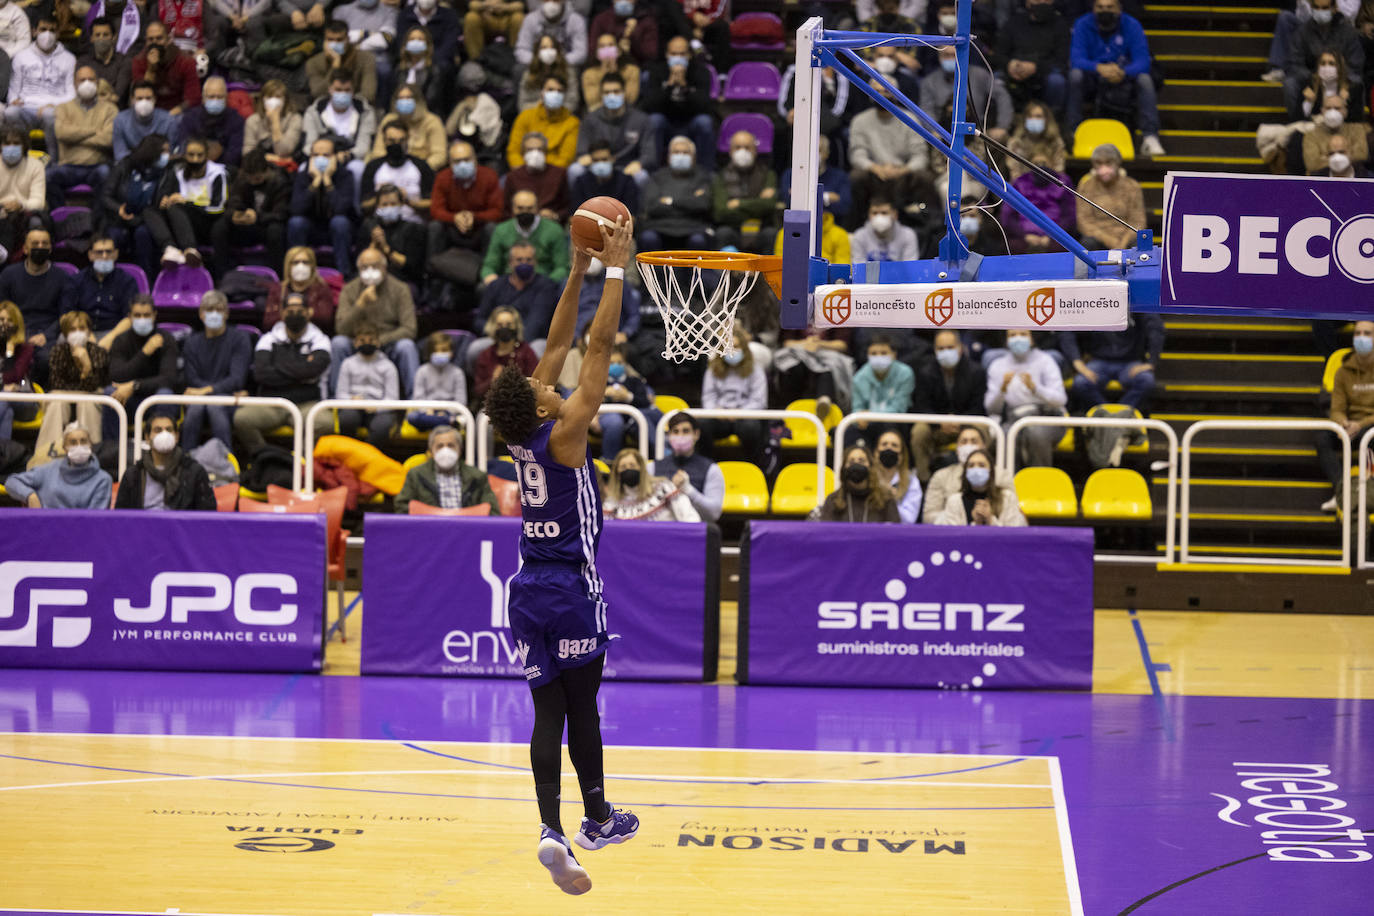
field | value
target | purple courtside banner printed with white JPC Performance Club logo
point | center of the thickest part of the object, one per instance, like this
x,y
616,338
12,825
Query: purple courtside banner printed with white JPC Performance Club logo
x,y
172,591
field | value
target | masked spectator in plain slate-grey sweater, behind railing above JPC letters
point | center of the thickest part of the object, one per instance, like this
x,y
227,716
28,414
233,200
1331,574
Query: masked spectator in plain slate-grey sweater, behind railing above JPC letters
x,y
215,360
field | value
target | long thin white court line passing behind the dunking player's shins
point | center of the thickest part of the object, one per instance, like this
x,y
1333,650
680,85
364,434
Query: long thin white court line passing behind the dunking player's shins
x,y
751,782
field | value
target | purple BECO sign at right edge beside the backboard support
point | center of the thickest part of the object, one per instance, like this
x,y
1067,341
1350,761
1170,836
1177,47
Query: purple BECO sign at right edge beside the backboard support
x,y
1298,247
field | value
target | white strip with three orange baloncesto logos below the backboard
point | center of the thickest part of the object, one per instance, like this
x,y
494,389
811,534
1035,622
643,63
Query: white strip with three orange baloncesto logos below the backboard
x,y
1074,306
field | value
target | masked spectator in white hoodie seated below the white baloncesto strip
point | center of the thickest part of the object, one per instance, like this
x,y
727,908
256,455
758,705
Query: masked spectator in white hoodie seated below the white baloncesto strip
x,y
1027,382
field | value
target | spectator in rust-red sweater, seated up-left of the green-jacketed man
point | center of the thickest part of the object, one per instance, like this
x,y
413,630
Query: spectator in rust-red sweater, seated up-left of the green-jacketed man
x,y
466,201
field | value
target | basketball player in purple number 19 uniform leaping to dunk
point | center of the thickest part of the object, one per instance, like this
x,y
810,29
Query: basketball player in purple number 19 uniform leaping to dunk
x,y
557,613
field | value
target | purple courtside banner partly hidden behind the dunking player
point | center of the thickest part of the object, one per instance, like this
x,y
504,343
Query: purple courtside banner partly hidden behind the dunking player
x,y
435,590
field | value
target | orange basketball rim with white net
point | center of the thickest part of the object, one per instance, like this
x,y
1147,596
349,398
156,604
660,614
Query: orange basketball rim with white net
x,y
699,292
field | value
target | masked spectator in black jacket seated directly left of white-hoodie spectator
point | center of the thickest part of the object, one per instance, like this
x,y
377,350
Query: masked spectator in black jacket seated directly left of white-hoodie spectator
x,y
947,382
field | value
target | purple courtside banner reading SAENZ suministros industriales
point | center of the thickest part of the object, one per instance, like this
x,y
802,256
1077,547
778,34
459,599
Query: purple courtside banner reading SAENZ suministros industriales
x,y
917,606
